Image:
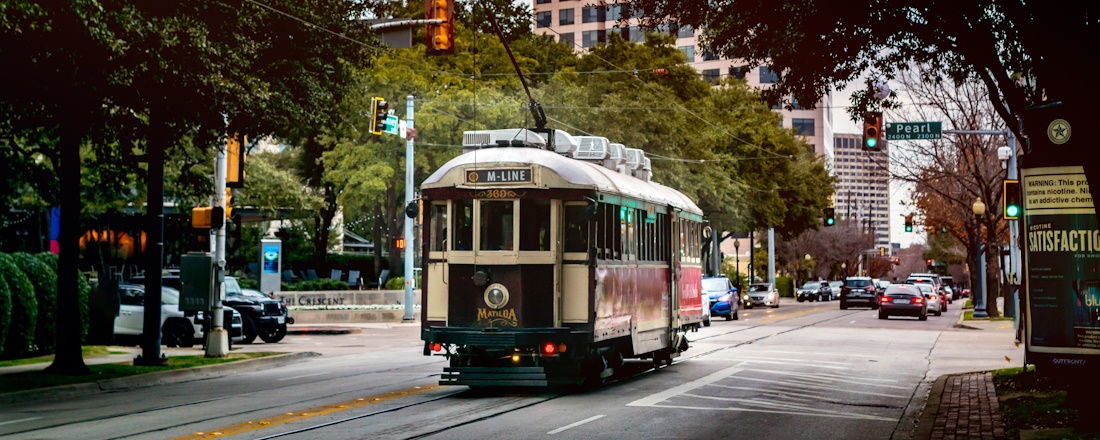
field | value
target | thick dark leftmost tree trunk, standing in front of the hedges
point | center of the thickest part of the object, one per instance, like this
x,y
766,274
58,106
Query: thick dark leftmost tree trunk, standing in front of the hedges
x,y
68,358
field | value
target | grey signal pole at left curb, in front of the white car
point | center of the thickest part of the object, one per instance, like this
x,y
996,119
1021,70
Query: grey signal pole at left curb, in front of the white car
x,y
218,338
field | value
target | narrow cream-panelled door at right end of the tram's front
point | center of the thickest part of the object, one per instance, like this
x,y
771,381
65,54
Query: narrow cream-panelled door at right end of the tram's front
x,y
575,265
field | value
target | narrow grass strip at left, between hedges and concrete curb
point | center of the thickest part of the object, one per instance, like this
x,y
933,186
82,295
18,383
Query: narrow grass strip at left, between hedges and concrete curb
x,y
35,380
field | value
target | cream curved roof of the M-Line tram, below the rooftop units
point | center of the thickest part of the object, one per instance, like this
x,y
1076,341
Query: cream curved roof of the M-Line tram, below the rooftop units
x,y
577,174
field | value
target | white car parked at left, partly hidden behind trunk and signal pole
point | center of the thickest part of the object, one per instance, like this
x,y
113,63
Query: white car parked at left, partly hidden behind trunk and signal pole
x,y
177,328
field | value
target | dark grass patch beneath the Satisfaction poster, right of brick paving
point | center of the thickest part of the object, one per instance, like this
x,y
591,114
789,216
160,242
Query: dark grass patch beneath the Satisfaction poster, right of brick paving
x,y
1030,401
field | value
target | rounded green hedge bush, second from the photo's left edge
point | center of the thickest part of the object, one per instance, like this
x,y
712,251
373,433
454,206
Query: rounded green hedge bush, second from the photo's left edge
x,y
25,310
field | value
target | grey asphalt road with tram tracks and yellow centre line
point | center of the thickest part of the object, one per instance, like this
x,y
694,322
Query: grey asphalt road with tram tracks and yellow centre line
x,y
801,371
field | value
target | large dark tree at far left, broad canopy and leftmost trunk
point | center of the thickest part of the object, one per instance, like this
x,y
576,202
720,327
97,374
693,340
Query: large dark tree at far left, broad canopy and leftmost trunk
x,y
147,76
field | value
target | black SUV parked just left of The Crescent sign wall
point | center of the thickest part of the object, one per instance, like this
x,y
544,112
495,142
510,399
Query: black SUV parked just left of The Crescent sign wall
x,y
263,316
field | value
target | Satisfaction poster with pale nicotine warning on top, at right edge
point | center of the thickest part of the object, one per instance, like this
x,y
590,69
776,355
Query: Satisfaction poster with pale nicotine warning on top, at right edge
x,y
1063,258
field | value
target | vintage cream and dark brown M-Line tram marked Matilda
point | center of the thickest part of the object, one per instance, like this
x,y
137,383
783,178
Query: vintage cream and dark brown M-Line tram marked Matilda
x,y
551,259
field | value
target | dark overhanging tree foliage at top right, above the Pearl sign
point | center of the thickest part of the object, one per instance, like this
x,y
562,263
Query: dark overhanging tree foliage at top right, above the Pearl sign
x,y
1024,52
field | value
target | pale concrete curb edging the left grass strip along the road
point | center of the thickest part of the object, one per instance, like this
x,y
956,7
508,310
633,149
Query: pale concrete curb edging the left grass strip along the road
x,y
163,378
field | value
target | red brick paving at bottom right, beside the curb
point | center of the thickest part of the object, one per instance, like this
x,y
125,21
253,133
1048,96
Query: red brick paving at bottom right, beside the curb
x,y
969,410
